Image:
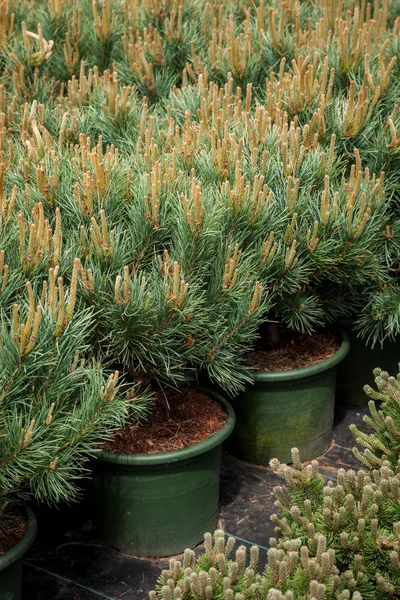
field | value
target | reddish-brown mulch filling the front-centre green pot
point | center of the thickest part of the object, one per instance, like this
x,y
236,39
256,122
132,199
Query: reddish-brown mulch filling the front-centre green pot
x,y
179,419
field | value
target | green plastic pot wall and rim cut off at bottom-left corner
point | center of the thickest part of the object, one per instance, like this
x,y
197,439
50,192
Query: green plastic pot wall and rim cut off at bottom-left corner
x,y
11,562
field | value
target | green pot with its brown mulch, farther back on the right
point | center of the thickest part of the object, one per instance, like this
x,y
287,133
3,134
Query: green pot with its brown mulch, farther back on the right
x,y
291,401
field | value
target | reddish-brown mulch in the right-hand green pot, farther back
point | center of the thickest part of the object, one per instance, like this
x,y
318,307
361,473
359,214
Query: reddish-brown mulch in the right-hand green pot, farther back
x,y
295,350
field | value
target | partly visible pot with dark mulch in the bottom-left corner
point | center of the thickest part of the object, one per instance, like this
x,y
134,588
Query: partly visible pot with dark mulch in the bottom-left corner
x,y
16,537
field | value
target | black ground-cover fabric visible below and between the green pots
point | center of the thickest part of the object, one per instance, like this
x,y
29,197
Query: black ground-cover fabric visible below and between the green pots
x,y
68,562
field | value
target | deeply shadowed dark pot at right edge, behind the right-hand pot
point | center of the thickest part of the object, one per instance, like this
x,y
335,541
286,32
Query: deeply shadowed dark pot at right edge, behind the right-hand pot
x,y
356,369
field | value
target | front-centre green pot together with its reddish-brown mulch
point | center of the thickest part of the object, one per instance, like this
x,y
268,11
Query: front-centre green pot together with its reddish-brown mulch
x,y
157,486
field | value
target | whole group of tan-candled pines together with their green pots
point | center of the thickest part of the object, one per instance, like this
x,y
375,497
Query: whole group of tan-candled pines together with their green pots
x,y
193,199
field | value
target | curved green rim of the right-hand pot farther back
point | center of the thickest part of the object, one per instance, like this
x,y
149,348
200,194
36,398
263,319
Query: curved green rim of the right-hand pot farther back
x,y
309,371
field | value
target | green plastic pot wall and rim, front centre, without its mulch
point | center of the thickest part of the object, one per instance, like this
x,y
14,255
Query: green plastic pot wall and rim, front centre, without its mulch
x,y
159,504
